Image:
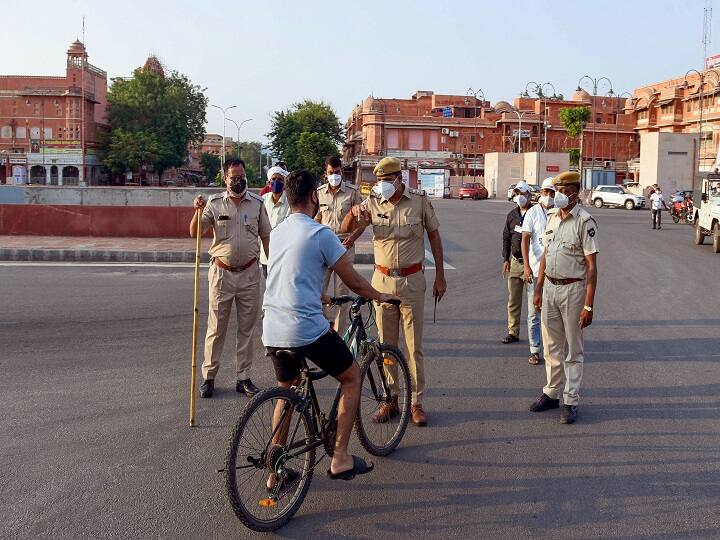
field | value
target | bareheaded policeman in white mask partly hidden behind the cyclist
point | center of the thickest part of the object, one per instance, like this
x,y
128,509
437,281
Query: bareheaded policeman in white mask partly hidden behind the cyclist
x,y
336,198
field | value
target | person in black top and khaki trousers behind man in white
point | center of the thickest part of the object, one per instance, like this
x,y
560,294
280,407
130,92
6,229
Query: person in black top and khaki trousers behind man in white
x,y
512,268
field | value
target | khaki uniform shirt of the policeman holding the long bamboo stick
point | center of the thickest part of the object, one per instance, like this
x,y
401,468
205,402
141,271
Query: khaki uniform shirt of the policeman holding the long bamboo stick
x,y
235,228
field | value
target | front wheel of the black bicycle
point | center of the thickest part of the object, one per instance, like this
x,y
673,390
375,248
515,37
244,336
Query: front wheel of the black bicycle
x,y
385,383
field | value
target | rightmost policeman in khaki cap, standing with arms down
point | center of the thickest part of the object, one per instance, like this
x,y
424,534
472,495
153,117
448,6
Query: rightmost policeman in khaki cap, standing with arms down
x,y
565,291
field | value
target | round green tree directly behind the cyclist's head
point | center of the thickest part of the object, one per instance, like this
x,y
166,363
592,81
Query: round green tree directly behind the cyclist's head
x,y
305,134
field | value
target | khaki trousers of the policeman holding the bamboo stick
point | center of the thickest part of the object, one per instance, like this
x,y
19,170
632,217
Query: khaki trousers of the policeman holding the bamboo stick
x,y
226,288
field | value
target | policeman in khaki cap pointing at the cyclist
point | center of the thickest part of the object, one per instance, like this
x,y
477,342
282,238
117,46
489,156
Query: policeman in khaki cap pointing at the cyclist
x,y
399,216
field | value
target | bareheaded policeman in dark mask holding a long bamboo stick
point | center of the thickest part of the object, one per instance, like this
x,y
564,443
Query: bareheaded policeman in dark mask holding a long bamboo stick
x,y
237,218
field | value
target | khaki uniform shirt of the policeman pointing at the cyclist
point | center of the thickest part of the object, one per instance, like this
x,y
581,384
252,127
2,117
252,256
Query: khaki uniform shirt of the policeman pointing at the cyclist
x,y
398,229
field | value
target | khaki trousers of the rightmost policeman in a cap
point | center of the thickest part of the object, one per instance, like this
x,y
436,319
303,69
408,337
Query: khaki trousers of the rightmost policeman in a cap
x,y
561,306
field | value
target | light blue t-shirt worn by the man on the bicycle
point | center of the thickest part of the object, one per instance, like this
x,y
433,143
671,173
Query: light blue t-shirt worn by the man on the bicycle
x,y
300,251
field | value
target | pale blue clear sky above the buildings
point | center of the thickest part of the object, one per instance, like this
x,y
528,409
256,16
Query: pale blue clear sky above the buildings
x,y
265,55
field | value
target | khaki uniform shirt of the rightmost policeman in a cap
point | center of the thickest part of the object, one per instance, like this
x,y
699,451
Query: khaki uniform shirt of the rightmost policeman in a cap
x,y
568,241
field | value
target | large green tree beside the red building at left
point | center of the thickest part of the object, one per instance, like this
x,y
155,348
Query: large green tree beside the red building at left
x,y
163,114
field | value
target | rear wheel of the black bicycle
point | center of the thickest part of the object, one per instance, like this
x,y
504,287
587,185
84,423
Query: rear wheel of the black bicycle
x,y
253,457
